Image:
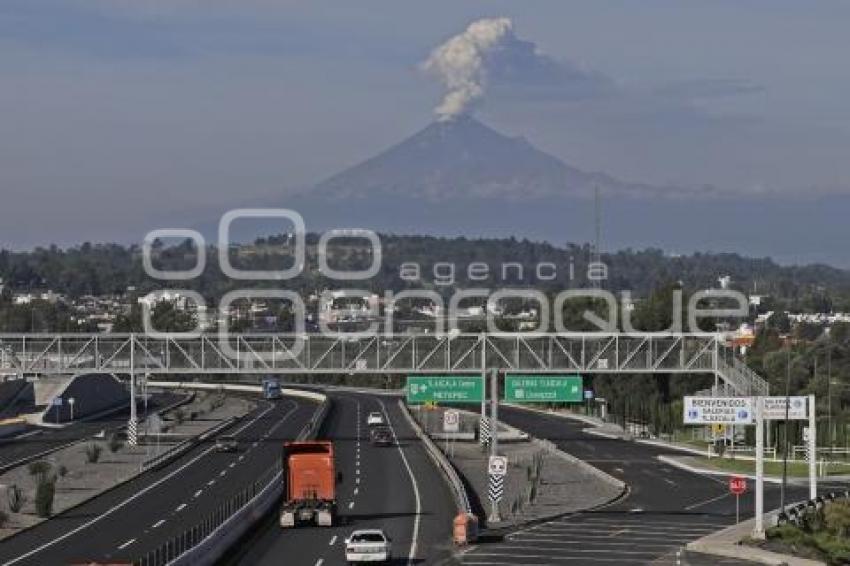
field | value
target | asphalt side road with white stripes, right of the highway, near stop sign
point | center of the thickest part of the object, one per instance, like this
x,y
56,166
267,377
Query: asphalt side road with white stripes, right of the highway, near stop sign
x,y
664,508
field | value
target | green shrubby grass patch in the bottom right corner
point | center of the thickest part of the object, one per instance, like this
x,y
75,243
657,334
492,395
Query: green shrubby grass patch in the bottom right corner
x,y
823,534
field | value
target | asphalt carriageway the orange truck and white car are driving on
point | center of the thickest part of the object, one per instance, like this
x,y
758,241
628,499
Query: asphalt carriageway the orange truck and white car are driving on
x,y
394,488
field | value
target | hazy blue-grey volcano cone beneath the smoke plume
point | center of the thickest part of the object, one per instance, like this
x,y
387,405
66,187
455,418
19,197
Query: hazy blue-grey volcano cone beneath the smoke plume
x,y
463,158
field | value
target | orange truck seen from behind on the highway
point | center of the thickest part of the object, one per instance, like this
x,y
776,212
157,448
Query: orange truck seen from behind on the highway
x,y
310,479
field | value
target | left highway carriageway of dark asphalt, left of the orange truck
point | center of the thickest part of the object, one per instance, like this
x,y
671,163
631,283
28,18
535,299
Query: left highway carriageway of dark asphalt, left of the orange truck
x,y
136,517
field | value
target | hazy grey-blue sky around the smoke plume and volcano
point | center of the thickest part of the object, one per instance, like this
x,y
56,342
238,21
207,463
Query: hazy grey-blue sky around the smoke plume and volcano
x,y
120,115
